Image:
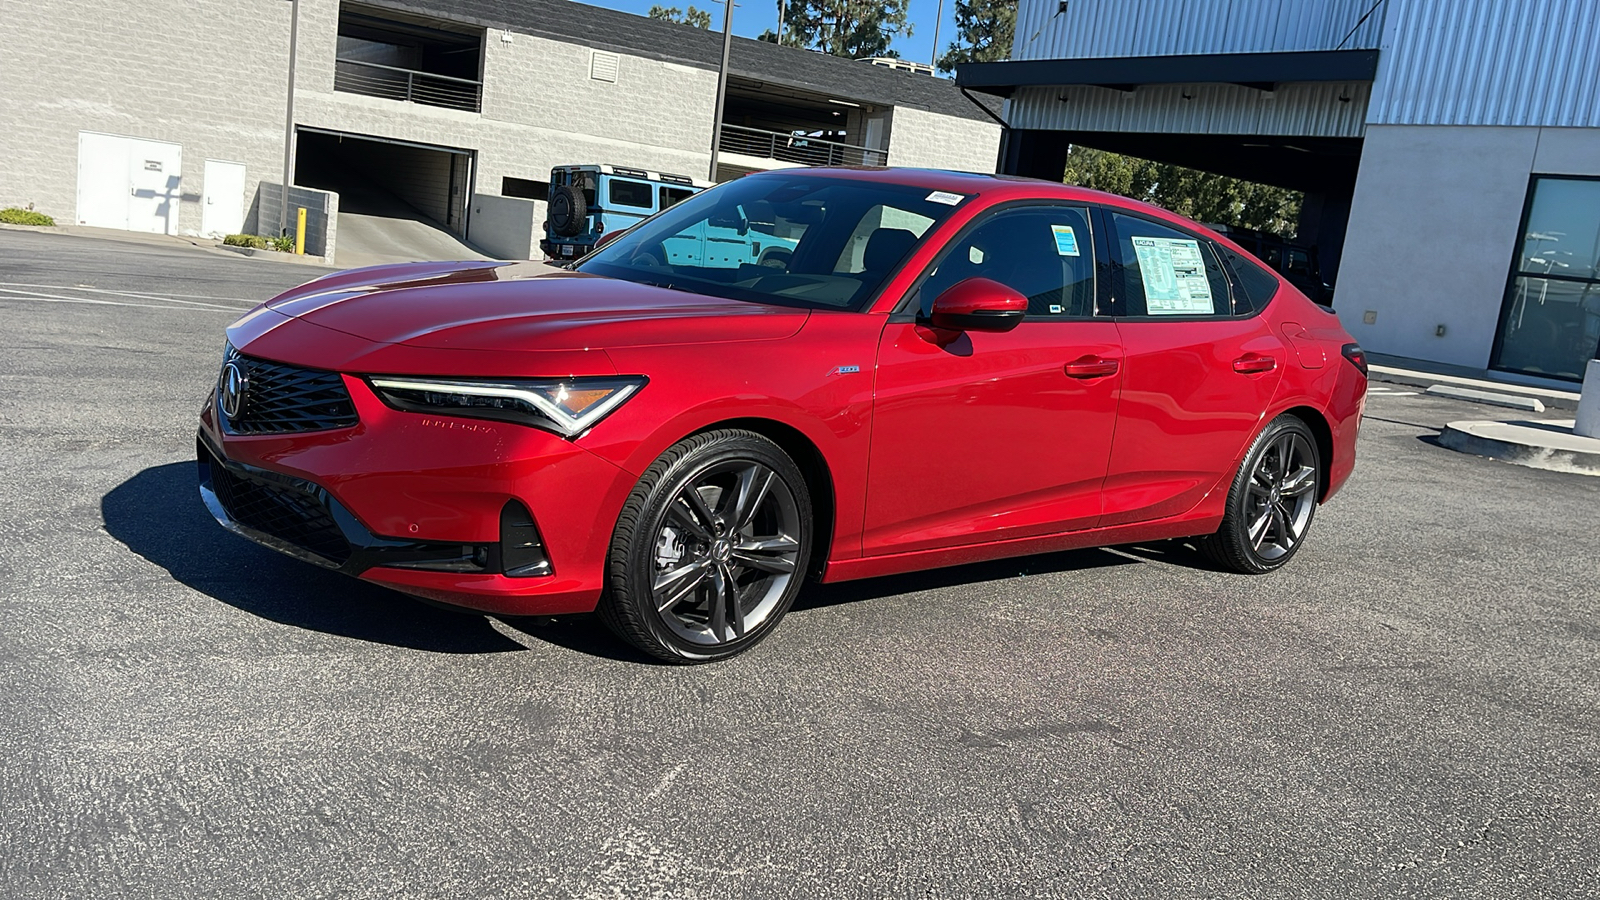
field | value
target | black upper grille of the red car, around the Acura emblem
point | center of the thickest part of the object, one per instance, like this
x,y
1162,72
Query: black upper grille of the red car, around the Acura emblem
x,y
282,400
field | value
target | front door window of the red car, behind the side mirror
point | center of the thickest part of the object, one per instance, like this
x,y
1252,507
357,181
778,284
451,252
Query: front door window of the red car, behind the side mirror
x,y
1046,254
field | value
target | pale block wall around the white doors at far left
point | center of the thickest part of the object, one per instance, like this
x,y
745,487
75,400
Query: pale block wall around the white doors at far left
x,y
212,81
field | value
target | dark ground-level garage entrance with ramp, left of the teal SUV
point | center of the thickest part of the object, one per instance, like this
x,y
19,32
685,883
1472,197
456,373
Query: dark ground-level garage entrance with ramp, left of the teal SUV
x,y
386,179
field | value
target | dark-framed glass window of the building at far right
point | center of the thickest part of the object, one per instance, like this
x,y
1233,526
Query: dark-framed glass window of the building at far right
x,y
1551,316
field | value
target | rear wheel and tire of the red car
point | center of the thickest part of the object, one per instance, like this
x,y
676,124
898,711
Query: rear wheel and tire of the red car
x,y
1270,505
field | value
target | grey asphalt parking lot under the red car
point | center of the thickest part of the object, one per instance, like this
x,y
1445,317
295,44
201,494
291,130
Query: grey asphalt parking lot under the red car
x,y
1410,709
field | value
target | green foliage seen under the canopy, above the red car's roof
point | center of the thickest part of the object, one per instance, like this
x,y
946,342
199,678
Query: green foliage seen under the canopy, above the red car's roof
x,y
1196,195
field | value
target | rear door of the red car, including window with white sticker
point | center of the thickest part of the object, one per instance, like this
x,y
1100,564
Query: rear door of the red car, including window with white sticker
x,y
1198,372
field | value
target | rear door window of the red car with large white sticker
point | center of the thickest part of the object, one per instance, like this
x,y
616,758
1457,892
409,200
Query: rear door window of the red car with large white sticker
x,y
1167,273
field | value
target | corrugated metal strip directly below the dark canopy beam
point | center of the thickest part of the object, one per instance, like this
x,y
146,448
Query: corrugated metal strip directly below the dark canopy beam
x,y
1319,110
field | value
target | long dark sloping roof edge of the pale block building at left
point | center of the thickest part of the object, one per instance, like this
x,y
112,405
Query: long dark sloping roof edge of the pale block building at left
x,y
655,39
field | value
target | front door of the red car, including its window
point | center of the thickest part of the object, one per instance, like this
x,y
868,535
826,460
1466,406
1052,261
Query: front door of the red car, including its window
x,y
993,436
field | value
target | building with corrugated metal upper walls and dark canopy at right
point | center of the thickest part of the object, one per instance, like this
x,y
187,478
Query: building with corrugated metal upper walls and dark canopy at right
x,y
1449,150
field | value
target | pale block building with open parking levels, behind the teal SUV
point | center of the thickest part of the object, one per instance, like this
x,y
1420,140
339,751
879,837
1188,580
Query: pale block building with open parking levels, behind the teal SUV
x,y
169,116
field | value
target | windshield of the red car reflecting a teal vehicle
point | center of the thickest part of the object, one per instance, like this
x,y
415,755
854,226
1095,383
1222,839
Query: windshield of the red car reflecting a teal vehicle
x,y
786,239
